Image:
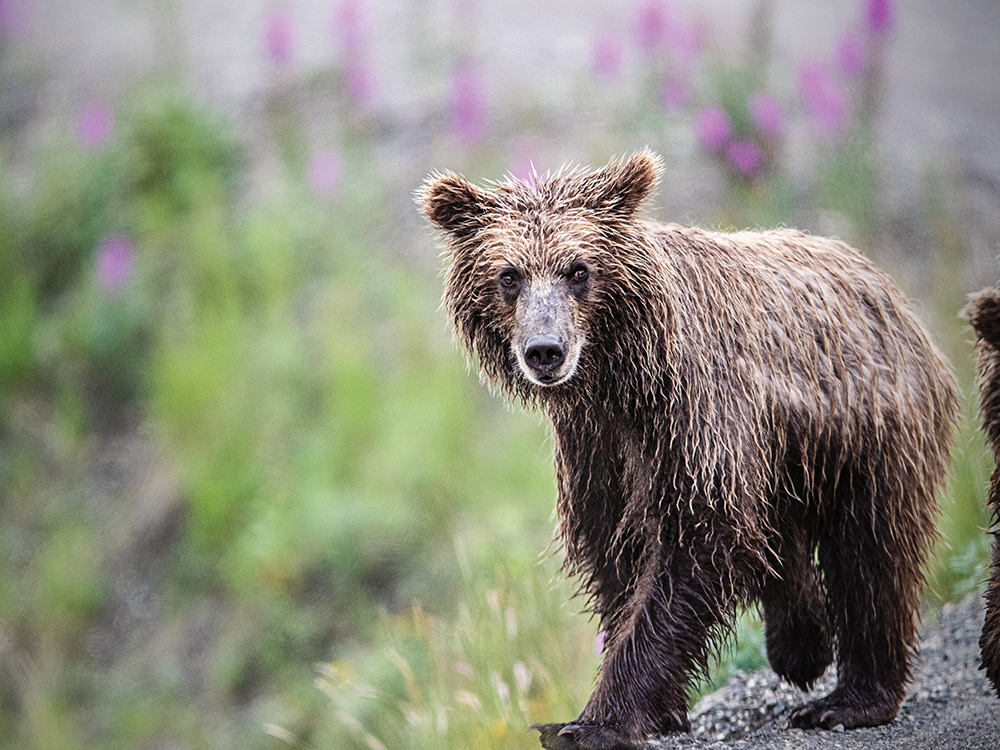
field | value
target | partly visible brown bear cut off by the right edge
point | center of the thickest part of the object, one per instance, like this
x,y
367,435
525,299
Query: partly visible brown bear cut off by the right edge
x,y
983,313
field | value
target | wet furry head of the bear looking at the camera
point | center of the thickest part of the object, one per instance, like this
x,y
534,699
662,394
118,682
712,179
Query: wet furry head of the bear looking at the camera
x,y
546,261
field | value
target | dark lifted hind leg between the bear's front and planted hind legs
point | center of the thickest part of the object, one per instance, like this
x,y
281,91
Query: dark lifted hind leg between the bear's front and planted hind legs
x,y
798,641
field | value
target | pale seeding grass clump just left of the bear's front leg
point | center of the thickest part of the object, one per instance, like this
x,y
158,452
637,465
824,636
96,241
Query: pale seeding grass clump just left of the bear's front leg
x,y
513,654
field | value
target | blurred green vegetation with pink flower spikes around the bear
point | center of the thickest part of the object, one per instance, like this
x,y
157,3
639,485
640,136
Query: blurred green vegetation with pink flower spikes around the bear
x,y
250,495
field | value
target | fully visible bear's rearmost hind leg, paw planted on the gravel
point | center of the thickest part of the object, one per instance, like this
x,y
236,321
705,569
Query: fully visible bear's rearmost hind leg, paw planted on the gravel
x,y
871,567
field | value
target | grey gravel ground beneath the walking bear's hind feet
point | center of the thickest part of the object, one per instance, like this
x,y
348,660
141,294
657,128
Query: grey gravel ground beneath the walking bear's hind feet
x,y
950,705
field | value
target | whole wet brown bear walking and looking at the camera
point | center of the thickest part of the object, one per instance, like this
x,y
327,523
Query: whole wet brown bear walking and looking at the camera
x,y
737,418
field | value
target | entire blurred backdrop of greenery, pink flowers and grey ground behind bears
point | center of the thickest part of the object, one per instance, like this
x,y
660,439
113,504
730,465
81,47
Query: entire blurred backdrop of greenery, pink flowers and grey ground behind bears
x,y
250,494
